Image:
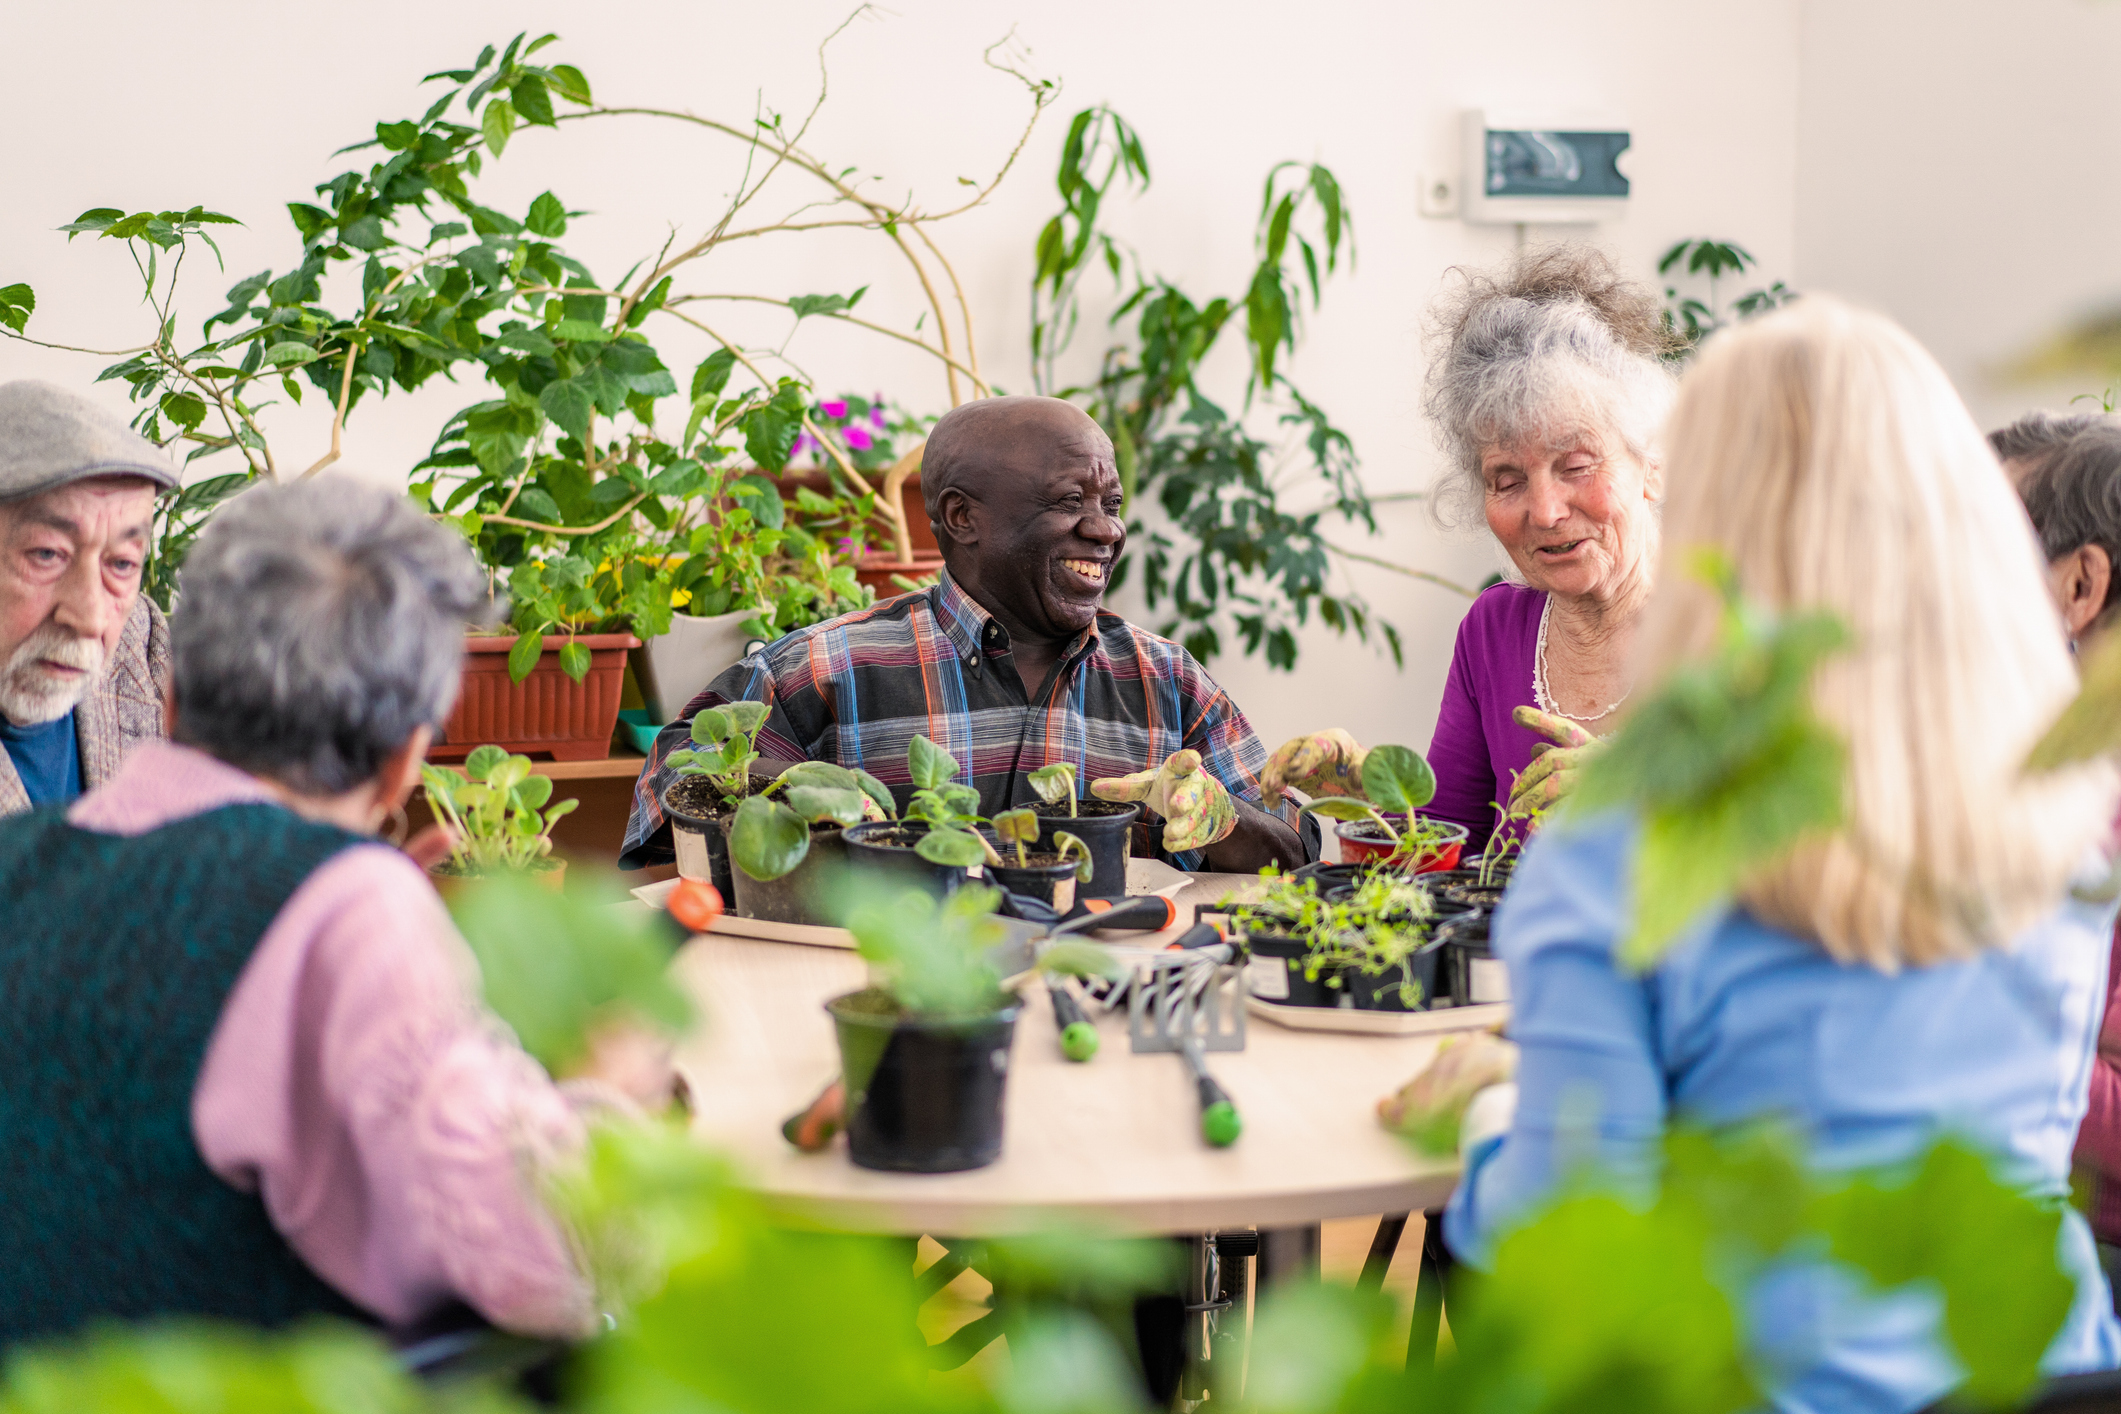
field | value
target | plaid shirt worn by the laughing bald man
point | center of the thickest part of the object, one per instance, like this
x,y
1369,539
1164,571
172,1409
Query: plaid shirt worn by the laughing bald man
x,y
856,690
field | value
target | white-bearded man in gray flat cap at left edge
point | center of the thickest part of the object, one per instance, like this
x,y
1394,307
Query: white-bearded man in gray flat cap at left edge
x,y
84,656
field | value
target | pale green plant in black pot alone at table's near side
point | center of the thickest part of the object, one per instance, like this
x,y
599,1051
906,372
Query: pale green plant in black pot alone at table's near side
x,y
926,1046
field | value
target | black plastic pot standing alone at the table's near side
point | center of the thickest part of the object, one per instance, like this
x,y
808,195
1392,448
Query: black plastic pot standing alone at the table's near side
x,y
922,1097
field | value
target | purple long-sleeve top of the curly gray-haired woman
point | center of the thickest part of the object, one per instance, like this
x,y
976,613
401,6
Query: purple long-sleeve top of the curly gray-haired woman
x,y
1477,749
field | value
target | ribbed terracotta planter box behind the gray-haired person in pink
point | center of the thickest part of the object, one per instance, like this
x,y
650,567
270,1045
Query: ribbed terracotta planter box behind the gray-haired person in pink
x,y
546,713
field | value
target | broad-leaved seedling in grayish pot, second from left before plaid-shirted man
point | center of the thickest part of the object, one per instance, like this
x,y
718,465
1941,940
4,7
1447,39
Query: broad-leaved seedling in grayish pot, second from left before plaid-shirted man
x,y
786,841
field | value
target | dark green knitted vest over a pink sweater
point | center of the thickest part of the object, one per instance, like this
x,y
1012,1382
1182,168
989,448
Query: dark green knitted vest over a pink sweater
x,y
116,961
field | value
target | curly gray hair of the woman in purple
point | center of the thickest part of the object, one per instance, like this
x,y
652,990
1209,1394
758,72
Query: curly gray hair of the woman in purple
x,y
1556,344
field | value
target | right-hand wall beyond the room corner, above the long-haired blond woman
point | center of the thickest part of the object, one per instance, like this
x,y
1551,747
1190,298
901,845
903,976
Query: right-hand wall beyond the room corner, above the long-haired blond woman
x,y
1959,171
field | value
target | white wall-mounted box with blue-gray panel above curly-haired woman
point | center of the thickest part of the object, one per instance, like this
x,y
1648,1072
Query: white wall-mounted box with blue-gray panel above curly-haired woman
x,y
1541,171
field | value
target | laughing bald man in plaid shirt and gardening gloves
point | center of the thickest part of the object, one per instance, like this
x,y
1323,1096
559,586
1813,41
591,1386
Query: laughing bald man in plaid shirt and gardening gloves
x,y
1011,662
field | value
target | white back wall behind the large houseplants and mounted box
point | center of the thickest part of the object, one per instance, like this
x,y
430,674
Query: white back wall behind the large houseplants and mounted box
x,y
122,109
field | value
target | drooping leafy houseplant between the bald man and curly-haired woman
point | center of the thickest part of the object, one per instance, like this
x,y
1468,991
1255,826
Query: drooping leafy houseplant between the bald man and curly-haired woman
x,y
1244,540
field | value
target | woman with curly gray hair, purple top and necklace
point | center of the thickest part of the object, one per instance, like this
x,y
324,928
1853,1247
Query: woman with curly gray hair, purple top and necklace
x,y
1547,387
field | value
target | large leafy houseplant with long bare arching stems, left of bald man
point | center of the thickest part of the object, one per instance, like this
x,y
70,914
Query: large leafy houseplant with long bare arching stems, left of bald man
x,y
580,484
